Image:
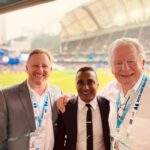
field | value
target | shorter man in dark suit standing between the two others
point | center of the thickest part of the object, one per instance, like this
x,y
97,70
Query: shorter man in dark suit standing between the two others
x,y
72,123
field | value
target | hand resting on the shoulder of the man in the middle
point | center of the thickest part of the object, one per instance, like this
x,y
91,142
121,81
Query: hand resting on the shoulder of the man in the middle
x,y
62,102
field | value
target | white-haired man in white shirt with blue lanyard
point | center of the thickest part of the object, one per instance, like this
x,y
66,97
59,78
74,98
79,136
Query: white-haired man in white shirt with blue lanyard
x,y
129,95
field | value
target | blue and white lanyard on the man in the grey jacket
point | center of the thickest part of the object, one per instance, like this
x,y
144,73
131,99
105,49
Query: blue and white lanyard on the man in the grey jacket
x,y
39,117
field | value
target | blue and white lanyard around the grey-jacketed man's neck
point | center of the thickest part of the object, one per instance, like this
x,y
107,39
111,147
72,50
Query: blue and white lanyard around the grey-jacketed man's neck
x,y
40,118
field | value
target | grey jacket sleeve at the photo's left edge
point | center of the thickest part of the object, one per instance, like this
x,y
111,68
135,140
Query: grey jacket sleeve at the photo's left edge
x,y
3,121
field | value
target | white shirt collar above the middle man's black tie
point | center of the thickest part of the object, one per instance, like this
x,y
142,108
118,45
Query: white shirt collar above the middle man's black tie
x,y
81,103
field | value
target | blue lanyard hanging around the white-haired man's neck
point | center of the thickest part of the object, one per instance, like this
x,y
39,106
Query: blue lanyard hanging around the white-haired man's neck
x,y
127,106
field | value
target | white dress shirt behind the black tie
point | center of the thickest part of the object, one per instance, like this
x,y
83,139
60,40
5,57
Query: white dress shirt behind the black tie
x,y
98,141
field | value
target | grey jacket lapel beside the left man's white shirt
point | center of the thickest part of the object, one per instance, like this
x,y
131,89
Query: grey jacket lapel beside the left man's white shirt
x,y
26,101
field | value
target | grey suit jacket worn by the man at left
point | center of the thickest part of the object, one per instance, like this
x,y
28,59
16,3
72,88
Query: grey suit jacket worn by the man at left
x,y
17,118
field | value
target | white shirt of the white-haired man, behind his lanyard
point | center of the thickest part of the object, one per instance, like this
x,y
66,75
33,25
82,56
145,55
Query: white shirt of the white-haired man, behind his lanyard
x,y
139,138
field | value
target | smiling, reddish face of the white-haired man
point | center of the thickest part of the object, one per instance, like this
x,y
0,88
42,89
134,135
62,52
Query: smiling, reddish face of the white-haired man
x,y
126,66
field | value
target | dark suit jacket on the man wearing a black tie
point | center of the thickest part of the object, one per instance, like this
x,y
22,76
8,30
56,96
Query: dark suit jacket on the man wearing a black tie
x,y
67,125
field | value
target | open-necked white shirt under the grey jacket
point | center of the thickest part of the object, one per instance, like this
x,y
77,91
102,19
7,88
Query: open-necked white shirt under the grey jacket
x,y
49,133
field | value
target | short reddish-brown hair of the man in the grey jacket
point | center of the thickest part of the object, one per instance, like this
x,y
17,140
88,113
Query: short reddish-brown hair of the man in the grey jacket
x,y
39,51
